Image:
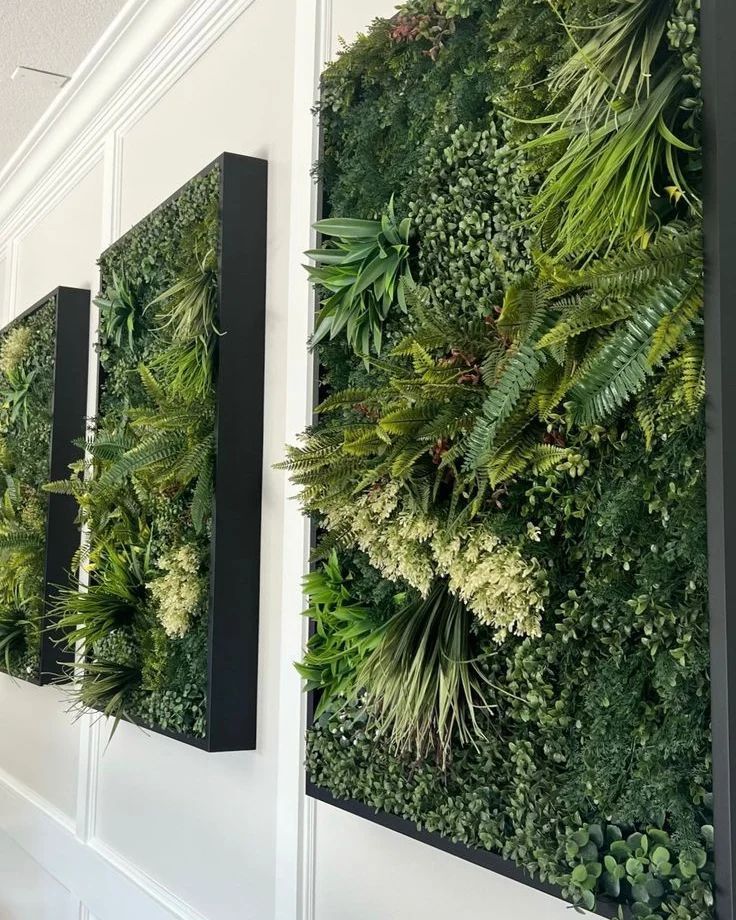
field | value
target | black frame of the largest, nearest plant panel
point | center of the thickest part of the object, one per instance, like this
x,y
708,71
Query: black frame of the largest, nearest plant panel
x,y
718,20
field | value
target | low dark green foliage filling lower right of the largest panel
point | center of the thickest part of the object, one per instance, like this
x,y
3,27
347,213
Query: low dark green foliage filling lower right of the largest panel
x,y
606,714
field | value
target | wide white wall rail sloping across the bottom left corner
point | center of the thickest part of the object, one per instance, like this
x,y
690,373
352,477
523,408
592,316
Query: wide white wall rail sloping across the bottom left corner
x,y
106,883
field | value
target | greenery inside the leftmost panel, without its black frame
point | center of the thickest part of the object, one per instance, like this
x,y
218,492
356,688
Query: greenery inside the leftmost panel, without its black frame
x,y
26,384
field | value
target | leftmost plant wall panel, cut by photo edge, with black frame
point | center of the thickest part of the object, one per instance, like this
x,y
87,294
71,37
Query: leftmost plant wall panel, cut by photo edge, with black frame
x,y
43,404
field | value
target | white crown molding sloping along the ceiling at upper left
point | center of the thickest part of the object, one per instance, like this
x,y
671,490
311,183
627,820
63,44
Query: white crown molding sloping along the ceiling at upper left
x,y
158,42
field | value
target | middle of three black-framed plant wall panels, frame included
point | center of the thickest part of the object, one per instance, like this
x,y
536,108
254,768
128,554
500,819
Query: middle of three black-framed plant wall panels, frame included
x,y
169,491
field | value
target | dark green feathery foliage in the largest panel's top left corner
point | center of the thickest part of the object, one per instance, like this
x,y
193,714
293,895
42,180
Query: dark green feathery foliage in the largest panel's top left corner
x,y
386,102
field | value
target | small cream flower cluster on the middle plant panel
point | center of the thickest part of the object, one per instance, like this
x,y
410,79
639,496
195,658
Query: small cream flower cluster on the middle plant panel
x,y
178,592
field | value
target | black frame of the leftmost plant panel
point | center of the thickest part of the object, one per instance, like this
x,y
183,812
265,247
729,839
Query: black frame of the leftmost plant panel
x,y
69,410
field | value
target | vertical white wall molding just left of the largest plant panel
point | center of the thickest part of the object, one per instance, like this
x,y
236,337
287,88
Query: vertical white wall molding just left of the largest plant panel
x,y
295,847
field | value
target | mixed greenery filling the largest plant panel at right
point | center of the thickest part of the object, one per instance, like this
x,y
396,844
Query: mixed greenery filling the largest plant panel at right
x,y
509,653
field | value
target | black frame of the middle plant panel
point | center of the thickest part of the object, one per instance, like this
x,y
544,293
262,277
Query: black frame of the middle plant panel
x,y
232,647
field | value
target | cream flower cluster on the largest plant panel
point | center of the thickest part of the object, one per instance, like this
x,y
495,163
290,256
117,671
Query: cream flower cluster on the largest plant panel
x,y
504,588
